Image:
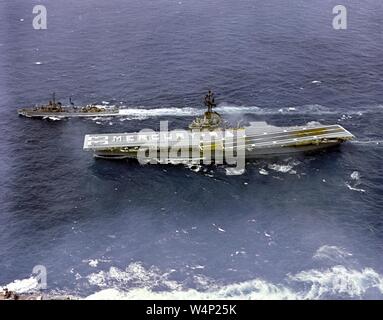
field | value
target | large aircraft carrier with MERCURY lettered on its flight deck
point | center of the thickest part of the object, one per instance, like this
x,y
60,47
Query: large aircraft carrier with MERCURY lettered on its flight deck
x,y
257,140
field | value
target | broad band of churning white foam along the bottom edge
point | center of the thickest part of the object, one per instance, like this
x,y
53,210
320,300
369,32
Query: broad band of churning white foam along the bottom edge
x,y
137,282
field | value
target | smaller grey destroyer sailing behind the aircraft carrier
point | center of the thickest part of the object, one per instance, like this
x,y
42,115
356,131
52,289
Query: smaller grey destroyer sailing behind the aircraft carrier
x,y
55,110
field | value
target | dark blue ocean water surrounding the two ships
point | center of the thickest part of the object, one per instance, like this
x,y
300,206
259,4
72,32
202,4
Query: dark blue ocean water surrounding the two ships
x,y
298,227
